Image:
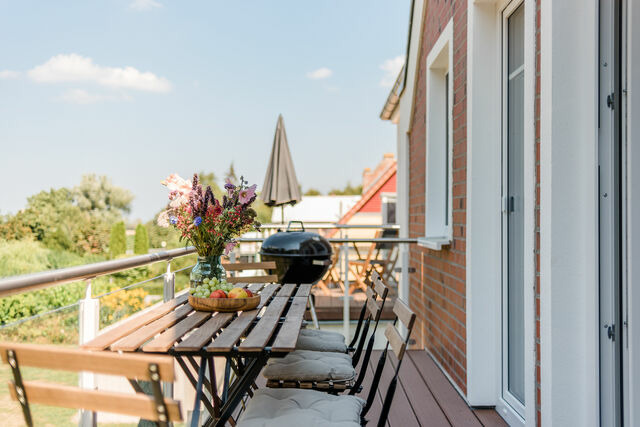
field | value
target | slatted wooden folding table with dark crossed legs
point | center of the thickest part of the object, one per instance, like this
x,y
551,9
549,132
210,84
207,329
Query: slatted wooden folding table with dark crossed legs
x,y
245,339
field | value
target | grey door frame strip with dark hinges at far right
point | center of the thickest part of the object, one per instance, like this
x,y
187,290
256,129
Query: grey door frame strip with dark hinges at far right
x,y
611,213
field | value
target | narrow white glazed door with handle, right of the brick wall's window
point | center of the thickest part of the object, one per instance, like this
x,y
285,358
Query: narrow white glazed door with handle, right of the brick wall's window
x,y
513,207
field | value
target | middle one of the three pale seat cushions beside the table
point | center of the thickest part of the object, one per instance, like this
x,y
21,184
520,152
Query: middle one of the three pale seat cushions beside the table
x,y
304,365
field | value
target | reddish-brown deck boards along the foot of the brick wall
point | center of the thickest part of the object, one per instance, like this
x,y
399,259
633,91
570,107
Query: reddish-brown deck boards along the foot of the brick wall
x,y
424,396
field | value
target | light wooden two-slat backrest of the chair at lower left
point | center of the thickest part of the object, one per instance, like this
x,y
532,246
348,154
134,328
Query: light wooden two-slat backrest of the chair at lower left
x,y
134,367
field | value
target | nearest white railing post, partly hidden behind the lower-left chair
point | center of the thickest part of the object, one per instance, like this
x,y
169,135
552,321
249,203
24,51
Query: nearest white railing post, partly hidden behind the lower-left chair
x,y
89,318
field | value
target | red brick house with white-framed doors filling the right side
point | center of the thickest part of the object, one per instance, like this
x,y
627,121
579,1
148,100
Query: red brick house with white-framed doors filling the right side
x,y
517,132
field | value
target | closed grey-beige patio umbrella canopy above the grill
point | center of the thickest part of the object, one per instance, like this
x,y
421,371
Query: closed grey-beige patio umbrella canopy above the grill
x,y
280,184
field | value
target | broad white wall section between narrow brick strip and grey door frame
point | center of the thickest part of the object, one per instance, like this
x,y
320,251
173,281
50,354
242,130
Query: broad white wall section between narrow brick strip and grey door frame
x,y
568,210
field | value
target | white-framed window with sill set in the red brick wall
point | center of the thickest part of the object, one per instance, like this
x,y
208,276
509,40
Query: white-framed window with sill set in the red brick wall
x,y
439,152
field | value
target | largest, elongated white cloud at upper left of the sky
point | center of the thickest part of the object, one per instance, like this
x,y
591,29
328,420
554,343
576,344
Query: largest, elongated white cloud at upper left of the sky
x,y
76,68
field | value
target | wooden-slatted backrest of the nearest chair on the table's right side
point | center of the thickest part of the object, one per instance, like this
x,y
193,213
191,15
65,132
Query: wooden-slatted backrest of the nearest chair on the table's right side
x,y
398,345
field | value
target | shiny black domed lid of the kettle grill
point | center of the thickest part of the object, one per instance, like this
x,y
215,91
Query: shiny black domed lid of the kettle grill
x,y
294,243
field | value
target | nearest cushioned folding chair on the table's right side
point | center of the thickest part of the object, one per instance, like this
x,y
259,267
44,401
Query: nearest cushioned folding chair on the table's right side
x,y
278,407
